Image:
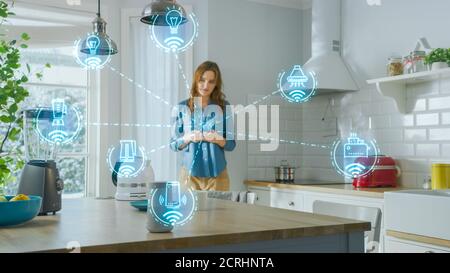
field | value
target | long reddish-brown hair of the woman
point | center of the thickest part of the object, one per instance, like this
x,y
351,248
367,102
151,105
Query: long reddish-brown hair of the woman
x,y
217,95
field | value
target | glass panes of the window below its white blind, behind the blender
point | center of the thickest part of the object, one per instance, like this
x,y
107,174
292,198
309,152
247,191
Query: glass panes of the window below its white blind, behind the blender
x,y
67,80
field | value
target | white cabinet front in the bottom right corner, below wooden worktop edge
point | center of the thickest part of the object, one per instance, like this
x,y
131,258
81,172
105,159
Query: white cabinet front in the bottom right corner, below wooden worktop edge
x,y
396,245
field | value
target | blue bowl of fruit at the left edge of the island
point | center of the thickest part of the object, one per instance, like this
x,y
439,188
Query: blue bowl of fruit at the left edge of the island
x,y
15,210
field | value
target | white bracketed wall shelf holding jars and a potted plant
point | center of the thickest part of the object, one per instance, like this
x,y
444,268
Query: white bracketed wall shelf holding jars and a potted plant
x,y
395,87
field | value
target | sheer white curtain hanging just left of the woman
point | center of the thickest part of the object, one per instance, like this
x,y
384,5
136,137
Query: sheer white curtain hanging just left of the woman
x,y
158,72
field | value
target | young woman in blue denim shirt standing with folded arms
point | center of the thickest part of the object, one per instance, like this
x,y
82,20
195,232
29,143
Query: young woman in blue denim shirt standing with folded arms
x,y
202,135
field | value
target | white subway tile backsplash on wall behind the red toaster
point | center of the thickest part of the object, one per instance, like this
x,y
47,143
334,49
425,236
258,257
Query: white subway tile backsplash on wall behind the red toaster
x,y
413,139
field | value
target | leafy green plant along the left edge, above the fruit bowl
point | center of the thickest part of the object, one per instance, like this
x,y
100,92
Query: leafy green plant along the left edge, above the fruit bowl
x,y
12,94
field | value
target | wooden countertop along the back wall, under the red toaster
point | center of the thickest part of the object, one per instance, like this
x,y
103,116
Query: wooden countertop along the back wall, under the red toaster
x,y
346,189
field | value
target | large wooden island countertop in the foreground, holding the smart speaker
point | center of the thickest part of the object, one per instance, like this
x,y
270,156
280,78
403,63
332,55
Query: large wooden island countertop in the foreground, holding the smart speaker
x,y
113,226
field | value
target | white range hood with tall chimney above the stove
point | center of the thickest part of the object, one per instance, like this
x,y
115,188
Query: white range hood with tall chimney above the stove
x,y
331,69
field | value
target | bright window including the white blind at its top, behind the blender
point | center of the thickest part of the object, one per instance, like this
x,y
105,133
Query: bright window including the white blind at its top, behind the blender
x,y
52,42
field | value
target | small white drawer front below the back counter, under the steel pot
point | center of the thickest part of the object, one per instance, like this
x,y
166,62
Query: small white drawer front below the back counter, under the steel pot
x,y
286,199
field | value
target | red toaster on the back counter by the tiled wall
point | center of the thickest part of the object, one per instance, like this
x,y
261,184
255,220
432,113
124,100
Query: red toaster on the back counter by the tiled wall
x,y
383,174
